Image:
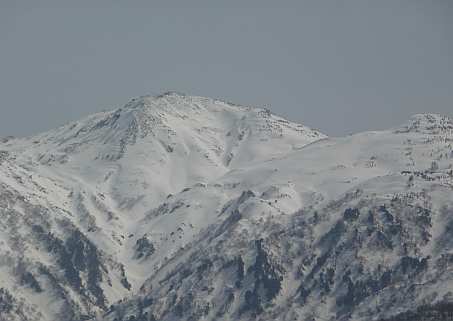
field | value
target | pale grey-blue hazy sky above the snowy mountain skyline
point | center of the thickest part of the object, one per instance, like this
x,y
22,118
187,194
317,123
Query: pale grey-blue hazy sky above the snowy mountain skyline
x,y
339,66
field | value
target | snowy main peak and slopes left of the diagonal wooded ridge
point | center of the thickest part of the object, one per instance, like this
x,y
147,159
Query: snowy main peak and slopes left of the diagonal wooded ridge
x,y
83,191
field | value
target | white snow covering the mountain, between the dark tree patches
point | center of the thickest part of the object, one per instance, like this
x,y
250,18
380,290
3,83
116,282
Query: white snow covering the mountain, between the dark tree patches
x,y
172,169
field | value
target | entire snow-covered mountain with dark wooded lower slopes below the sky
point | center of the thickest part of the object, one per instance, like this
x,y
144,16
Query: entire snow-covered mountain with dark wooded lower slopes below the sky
x,y
188,208
